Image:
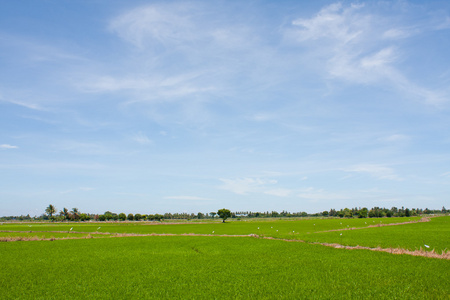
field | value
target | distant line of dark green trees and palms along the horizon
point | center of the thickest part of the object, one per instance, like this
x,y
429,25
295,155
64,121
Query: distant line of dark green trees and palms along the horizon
x,y
65,214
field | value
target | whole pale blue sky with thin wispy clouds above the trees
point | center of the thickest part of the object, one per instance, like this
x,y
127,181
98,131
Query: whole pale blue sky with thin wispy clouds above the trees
x,y
165,106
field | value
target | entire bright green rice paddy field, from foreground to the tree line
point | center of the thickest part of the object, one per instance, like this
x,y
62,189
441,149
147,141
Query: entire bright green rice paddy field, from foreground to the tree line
x,y
275,259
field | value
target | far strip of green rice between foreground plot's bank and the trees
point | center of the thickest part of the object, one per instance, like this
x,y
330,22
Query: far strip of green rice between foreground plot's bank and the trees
x,y
280,228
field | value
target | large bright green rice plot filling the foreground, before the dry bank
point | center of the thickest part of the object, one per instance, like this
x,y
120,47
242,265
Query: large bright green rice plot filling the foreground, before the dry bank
x,y
191,267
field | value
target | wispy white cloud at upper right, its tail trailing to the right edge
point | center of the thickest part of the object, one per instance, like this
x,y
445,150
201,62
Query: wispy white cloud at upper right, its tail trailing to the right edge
x,y
358,46
